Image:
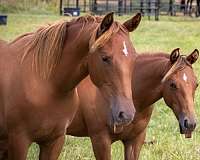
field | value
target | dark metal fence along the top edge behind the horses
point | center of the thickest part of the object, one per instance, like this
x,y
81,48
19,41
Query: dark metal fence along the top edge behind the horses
x,y
146,7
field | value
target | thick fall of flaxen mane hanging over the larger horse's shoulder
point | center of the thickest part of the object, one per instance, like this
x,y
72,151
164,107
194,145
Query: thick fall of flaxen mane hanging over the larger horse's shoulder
x,y
46,44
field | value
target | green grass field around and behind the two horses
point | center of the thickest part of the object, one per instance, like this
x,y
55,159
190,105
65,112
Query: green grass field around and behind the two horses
x,y
164,35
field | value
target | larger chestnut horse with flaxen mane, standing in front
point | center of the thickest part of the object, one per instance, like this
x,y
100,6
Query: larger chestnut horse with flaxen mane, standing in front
x,y
39,72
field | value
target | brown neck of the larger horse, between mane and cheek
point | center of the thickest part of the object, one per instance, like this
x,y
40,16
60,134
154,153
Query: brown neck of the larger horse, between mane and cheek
x,y
73,66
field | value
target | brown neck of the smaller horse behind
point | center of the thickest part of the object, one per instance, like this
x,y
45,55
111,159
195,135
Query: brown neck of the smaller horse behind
x,y
148,73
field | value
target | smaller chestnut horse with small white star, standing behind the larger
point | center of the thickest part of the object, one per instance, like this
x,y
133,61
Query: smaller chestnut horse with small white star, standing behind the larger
x,y
155,76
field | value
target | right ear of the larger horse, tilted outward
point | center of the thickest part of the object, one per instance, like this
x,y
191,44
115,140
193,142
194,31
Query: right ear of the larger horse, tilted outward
x,y
132,23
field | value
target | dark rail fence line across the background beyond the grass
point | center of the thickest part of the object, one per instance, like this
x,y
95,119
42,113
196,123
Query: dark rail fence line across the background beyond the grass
x,y
150,8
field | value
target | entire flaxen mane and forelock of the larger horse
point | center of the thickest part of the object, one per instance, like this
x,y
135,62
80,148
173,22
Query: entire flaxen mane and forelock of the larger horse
x,y
47,43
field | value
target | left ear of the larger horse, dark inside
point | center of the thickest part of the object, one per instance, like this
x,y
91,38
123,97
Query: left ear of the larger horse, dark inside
x,y
105,24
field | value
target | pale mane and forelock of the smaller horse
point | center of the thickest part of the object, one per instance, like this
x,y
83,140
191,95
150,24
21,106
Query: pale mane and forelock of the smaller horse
x,y
180,64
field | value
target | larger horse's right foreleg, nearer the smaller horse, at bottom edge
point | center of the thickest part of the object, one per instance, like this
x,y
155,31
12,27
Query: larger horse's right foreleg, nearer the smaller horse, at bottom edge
x,y
51,149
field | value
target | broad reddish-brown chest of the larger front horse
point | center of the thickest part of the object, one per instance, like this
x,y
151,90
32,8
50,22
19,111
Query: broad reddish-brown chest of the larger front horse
x,y
40,113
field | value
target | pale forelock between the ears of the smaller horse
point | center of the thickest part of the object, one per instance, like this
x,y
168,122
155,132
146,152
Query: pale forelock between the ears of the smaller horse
x,y
180,64
